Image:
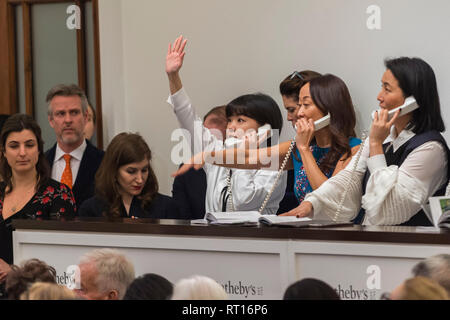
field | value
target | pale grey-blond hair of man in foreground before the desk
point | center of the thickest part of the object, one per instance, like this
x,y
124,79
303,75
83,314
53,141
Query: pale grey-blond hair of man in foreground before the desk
x,y
115,271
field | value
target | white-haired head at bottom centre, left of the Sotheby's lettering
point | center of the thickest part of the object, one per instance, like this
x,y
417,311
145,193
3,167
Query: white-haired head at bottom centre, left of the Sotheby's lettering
x,y
198,288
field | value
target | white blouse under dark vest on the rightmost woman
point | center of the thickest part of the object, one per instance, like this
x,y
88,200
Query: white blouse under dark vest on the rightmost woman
x,y
393,194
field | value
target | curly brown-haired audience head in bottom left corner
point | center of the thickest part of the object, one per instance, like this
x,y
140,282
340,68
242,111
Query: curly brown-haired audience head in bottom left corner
x,y
21,277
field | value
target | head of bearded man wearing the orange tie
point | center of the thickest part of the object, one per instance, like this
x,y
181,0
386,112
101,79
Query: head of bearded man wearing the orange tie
x,y
67,115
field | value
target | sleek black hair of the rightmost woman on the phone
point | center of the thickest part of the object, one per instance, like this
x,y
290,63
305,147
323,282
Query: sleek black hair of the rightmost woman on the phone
x,y
416,78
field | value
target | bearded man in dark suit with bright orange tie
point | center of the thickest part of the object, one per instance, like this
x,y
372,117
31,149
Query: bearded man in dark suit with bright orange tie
x,y
73,159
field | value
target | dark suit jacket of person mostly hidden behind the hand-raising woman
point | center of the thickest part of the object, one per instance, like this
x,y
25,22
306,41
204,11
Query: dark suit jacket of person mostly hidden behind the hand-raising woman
x,y
189,192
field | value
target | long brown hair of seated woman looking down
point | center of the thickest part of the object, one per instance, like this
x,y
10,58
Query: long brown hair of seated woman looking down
x,y
123,149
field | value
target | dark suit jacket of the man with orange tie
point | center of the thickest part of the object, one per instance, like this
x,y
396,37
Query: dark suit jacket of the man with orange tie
x,y
84,186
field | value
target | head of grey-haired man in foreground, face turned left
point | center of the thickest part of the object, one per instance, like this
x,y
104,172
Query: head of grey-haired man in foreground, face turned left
x,y
105,274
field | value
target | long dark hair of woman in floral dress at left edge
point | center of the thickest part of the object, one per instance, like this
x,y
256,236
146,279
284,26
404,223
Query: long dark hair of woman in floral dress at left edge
x,y
18,123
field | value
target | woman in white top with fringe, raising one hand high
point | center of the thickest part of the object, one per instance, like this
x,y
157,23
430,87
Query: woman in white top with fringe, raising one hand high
x,y
228,190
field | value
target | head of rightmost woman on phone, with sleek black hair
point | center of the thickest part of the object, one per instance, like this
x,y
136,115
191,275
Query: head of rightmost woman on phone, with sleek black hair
x,y
406,77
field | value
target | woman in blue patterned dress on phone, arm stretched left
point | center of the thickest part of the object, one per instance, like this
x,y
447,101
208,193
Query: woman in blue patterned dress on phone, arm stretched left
x,y
318,155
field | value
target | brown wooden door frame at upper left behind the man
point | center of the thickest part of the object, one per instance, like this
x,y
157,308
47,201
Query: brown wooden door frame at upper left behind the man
x,y
8,75
